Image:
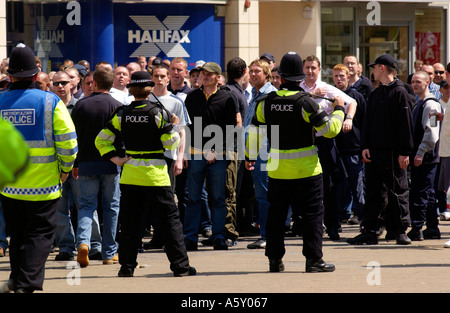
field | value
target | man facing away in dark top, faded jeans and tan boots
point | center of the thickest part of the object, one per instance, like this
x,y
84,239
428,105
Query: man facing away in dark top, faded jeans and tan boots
x,y
96,176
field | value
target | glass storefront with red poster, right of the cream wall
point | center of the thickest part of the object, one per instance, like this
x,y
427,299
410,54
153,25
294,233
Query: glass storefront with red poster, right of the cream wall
x,y
407,31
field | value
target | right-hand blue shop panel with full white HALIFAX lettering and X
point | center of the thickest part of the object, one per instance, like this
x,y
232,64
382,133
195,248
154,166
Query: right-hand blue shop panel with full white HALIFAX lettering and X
x,y
190,31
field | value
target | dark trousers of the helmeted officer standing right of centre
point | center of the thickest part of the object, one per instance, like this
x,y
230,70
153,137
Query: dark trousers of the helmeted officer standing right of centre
x,y
305,196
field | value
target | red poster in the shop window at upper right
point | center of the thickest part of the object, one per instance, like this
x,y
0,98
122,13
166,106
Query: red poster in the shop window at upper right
x,y
428,47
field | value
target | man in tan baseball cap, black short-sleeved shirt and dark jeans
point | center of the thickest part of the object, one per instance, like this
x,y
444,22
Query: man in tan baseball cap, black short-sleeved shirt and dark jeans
x,y
209,108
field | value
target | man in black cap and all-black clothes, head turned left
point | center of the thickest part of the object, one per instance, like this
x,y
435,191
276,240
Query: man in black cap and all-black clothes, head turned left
x,y
387,142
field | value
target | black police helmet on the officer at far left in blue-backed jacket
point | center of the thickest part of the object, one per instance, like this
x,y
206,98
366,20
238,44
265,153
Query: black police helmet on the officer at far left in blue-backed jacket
x,y
22,62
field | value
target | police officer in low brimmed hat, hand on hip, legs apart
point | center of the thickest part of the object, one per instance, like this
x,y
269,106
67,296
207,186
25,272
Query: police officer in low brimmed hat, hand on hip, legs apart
x,y
146,130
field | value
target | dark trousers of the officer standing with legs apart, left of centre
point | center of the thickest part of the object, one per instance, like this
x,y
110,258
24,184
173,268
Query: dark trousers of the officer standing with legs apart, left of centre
x,y
135,202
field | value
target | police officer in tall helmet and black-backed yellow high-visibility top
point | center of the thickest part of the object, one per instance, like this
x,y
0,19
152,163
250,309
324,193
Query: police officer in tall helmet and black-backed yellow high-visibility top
x,y
290,117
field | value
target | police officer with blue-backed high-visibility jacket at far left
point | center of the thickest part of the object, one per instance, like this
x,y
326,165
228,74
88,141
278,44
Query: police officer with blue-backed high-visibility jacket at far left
x,y
29,202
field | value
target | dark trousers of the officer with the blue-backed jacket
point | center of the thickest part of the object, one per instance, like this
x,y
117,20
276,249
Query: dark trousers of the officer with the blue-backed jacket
x,y
32,226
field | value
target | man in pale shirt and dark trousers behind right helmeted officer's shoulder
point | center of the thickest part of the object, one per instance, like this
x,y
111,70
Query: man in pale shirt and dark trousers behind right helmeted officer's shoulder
x,y
333,167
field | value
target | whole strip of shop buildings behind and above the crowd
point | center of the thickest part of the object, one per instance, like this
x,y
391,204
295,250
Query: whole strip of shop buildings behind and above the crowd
x,y
217,30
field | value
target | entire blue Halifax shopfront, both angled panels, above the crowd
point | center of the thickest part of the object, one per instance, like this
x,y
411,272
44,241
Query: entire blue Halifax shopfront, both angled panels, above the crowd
x,y
120,32
